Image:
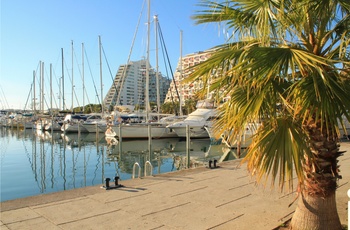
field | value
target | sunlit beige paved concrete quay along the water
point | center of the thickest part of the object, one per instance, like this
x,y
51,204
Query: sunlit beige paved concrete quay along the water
x,y
201,198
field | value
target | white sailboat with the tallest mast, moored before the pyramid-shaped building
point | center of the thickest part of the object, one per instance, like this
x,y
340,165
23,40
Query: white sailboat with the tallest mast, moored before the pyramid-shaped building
x,y
145,129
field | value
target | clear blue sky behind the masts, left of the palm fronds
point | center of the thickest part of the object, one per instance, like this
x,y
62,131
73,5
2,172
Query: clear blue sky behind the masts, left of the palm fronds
x,y
37,31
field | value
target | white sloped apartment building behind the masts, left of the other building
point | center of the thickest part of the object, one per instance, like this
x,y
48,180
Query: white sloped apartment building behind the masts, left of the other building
x,y
129,85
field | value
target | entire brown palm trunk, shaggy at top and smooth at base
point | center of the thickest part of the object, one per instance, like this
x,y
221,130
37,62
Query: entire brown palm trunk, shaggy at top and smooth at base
x,y
317,204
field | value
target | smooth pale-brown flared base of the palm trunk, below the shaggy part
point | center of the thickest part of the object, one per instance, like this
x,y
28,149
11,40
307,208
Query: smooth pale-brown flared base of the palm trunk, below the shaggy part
x,y
315,212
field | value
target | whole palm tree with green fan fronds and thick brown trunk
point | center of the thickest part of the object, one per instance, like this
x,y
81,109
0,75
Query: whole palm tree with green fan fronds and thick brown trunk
x,y
286,65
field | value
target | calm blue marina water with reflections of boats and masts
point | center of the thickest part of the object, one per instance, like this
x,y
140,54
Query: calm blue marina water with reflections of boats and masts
x,y
36,162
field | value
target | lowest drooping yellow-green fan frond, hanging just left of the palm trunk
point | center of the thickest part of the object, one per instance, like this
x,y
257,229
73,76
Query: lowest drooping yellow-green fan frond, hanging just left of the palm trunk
x,y
278,150
